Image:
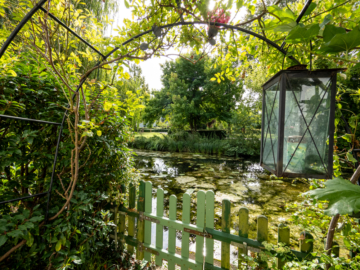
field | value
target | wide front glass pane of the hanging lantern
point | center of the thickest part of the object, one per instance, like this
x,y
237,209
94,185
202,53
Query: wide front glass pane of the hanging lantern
x,y
307,112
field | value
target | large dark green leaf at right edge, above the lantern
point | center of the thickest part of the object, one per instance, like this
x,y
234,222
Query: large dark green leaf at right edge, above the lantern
x,y
342,42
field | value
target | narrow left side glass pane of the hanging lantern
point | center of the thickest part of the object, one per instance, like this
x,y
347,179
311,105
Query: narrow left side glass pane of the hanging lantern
x,y
270,143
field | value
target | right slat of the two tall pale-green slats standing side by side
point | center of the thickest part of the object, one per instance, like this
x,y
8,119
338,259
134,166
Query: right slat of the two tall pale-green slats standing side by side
x,y
209,224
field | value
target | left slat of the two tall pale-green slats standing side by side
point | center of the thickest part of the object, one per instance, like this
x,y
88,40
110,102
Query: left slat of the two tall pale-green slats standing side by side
x,y
200,222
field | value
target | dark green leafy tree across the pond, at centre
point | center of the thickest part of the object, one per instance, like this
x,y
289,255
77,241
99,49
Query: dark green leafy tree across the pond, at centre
x,y
188,95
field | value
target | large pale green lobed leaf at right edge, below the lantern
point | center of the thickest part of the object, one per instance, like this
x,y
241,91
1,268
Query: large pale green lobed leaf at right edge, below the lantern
x,y
343,197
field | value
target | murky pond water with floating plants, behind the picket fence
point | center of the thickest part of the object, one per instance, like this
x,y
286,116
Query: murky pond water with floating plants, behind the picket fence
x,y
242,181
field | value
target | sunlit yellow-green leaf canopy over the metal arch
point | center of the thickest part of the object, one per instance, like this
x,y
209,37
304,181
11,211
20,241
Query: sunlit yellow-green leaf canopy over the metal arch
x,y
329,29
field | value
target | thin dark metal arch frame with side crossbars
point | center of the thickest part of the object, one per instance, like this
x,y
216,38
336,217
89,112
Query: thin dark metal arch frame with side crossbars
x,y
39,6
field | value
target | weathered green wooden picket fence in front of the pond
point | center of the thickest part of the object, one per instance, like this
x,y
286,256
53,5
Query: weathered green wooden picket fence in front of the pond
x,y
139,235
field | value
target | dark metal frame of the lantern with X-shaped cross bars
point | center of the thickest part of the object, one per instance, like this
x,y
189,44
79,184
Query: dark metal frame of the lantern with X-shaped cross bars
x,y
282,79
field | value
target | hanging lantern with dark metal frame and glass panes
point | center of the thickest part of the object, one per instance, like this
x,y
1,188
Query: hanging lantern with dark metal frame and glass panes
x,y
298,123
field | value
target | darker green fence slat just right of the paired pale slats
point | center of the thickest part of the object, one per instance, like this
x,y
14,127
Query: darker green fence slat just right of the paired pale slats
x,y
225,227
